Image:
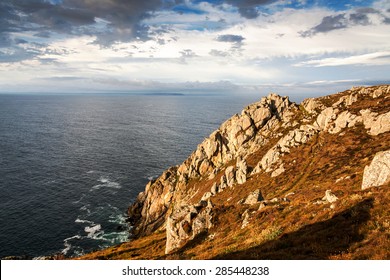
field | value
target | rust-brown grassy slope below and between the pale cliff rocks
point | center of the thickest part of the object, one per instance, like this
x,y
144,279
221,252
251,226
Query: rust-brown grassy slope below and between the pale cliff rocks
x,y
357,228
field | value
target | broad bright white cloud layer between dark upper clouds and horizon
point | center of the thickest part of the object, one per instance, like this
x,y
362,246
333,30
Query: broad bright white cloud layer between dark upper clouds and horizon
x,y
270,52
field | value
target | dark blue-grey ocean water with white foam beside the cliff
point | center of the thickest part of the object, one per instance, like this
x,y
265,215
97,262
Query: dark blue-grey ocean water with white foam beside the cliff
x,y
70,165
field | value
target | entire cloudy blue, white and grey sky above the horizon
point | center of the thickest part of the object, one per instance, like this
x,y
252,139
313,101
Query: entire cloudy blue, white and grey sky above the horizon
x,y
191,46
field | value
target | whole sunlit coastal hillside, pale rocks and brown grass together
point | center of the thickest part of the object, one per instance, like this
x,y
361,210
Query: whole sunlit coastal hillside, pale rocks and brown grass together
x,y
278,181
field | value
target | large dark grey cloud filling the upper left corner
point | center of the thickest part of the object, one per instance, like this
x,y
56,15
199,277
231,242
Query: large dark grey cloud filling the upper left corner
x,y
76,17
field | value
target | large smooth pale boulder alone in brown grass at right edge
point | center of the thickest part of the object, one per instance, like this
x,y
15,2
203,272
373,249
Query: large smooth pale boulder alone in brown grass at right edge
x,y
378,172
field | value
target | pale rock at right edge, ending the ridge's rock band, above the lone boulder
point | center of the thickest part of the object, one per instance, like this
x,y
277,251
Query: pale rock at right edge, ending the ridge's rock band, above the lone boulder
x,y
376,124
